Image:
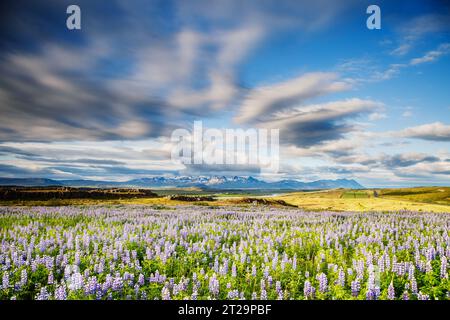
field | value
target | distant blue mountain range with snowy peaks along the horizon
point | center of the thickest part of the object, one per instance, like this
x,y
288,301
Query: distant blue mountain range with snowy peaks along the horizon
x,y
204,182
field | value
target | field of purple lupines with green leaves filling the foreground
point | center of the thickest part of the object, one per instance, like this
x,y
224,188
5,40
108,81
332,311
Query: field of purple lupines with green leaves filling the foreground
x,y
138,252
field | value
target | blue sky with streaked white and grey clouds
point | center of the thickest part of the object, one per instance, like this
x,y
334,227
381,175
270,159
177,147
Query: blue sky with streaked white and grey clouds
x,y
101,102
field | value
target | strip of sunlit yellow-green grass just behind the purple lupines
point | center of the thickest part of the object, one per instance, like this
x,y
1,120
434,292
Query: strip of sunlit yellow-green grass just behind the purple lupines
x,y
429,199
